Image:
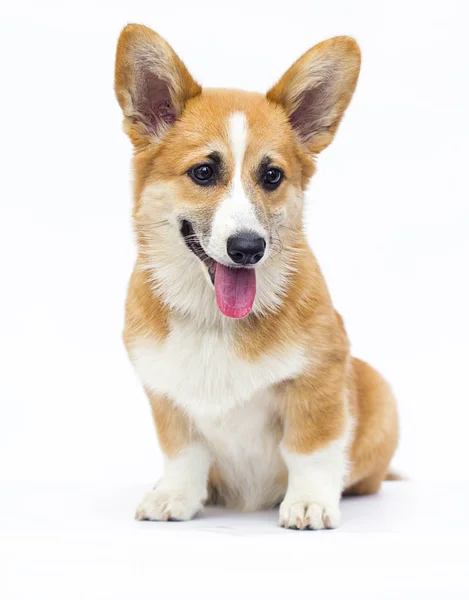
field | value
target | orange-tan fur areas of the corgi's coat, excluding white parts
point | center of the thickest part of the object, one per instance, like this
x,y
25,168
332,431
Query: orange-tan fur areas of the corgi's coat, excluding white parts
x,y
315,404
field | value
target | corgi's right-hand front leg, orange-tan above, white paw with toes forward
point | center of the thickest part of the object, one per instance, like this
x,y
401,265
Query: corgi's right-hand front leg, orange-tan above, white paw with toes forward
x,y
314,448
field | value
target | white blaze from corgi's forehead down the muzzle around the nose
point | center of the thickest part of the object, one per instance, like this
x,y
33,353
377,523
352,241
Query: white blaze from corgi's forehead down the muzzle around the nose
x,y
236,212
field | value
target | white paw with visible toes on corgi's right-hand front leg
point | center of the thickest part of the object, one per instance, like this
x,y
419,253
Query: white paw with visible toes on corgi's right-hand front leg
x,y
296,514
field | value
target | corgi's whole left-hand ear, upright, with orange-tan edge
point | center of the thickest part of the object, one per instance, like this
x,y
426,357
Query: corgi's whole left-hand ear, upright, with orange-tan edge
x,y
152,84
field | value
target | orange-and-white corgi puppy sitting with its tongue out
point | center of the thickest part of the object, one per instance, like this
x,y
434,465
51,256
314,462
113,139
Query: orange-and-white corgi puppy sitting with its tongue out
x,y
229,323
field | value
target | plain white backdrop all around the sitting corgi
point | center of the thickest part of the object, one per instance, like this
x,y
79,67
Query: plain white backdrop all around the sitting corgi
x,y
388,216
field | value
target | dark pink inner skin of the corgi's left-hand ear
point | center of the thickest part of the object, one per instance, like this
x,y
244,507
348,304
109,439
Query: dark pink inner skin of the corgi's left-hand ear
x,y
153,101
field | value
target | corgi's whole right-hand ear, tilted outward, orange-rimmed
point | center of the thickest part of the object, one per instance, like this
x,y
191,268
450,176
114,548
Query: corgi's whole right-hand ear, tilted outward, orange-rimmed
x,y
317,88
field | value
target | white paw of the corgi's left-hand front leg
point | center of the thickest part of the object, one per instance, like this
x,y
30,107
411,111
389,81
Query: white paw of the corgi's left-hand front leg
x,y
166,504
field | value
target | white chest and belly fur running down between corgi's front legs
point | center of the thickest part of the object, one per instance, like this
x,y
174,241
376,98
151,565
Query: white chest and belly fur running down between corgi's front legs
x,y
231,401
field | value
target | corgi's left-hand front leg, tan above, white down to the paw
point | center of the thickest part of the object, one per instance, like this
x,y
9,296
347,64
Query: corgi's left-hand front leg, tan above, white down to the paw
x,y
182,491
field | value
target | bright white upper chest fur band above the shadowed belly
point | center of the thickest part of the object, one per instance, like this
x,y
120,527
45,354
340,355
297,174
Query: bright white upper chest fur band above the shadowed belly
x,y
199,370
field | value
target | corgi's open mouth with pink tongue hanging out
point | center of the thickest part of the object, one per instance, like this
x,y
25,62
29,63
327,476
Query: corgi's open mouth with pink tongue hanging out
x,y
235,287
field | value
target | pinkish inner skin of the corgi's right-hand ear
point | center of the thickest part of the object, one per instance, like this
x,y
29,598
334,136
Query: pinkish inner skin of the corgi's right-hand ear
x,y
311,115
